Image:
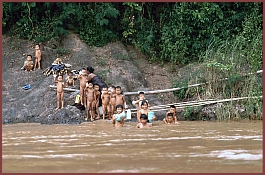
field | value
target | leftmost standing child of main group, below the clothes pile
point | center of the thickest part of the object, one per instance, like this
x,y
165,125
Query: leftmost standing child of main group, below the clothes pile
x,y
60,93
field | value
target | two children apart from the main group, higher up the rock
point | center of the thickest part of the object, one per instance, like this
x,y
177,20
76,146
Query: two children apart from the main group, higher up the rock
x,y
29,64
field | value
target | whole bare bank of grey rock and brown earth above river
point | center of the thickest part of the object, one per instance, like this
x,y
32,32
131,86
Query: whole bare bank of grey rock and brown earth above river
x,y
115,63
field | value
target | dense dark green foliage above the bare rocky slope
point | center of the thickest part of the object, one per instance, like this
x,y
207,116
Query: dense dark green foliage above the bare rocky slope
x,y
176,32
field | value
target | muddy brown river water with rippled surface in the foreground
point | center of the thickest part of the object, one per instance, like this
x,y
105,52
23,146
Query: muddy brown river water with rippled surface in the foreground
x,y
188,147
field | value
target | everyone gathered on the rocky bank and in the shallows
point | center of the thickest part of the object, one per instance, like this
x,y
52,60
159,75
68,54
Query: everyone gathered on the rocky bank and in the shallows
x,y
94,93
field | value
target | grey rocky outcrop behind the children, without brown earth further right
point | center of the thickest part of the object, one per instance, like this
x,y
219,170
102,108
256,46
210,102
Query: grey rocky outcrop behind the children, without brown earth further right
x,y
38,103
